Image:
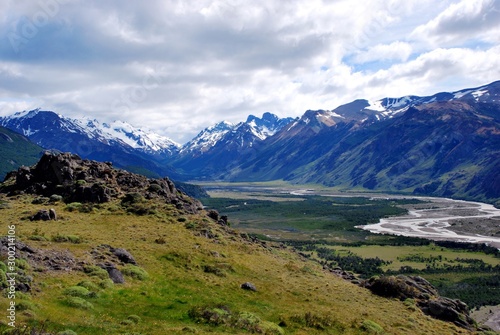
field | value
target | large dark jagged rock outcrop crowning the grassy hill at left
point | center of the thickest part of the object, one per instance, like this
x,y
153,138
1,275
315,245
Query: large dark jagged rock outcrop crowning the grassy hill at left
x,y
80,180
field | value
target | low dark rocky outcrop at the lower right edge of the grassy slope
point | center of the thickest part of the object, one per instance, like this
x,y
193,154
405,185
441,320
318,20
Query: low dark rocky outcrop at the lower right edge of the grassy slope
x,y
426,298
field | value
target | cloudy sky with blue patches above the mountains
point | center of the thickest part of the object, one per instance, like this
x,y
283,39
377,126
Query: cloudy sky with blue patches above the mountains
x,y
176,67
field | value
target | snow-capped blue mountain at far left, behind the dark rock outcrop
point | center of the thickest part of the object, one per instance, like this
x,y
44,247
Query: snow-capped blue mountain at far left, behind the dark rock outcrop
x,y
117,142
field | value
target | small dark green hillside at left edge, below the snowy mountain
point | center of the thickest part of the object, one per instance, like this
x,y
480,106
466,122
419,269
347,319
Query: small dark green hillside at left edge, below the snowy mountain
x,y
16,150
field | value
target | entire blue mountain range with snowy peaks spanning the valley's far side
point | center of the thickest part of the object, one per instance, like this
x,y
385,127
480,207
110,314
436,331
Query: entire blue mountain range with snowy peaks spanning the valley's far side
x,y
447,144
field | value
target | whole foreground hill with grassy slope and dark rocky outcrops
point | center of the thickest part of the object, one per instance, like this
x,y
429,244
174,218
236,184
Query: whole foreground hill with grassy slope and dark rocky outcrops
x,y
128,254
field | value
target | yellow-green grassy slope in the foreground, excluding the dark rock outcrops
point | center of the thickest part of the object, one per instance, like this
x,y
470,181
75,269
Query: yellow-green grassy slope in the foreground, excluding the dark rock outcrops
x,y
187,280
